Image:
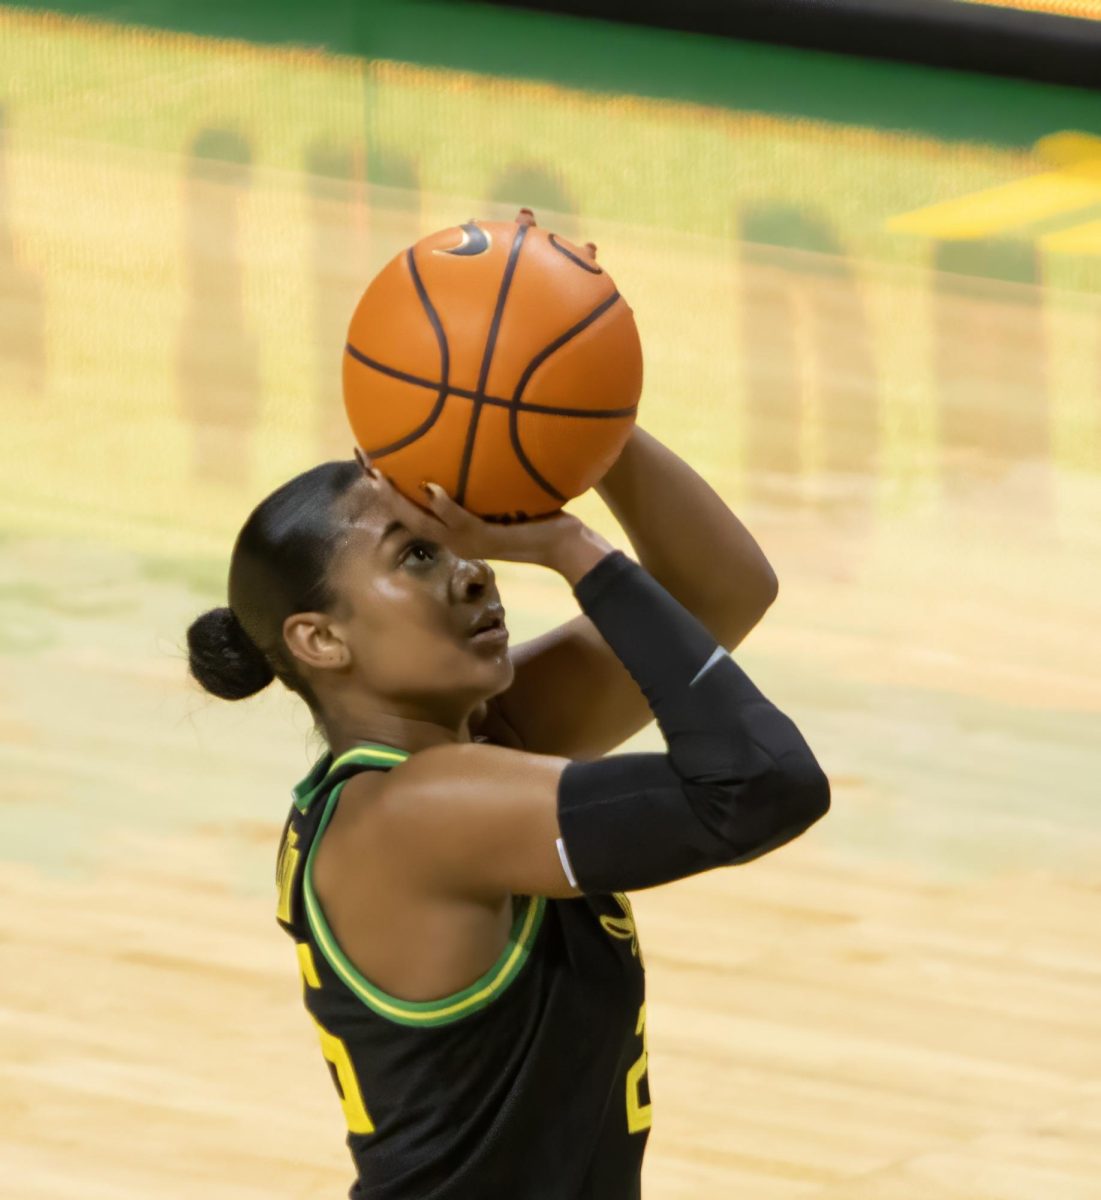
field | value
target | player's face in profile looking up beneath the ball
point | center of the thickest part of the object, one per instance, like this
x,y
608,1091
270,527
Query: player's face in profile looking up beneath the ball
x,y
407,607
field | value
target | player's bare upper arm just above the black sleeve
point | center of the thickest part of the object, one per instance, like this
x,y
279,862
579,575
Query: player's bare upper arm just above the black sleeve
x,y
477,820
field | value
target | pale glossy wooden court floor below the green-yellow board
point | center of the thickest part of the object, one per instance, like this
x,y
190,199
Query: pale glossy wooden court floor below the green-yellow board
x,y
904,1005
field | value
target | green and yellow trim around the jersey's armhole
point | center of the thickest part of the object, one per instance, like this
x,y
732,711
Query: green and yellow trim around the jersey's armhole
x,y
420,1015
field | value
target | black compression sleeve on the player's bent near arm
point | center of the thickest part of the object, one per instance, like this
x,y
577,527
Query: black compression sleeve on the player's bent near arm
x,y
738,779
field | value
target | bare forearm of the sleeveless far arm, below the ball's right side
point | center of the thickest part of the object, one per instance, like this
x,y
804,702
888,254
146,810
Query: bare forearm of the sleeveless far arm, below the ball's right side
x,y
688,539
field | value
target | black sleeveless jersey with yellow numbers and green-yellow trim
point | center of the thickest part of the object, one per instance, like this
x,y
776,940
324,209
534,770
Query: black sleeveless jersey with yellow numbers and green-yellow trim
x,y
531,1084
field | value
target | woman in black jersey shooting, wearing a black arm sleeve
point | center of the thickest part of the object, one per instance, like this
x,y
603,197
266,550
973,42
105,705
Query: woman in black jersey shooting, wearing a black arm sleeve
x,y
454,871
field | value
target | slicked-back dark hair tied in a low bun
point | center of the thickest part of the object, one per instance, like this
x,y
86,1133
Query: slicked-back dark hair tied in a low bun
x,y
279,567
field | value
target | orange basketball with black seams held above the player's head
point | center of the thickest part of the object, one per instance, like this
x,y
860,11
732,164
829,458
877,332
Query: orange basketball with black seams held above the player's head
x,y
498,361
